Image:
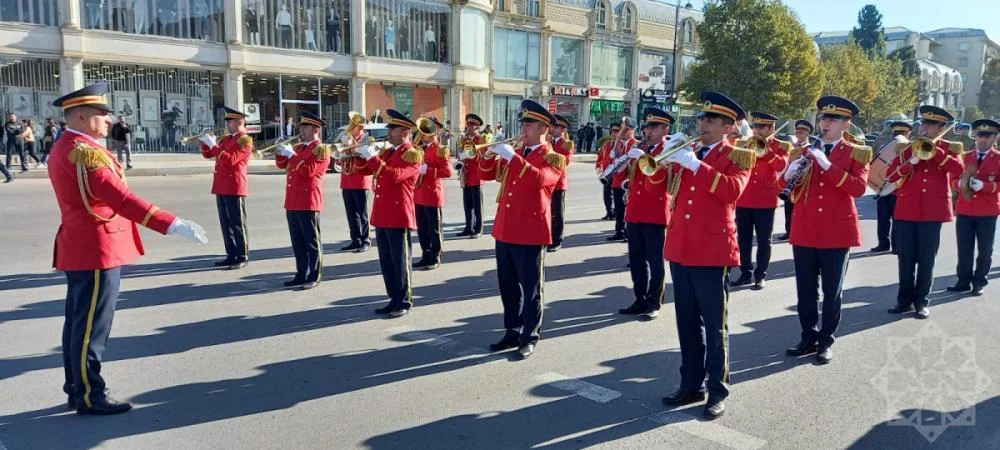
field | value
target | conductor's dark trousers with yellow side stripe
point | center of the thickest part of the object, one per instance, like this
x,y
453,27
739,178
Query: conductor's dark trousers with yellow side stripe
x,y
90,308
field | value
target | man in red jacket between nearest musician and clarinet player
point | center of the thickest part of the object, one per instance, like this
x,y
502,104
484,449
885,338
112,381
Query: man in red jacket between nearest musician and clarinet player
x,y
755,208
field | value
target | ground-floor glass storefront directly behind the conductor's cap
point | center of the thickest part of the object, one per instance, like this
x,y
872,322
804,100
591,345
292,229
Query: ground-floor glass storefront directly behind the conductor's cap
x,y
163,104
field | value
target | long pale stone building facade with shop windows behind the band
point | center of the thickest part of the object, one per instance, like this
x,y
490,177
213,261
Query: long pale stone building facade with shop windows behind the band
x,y
172,64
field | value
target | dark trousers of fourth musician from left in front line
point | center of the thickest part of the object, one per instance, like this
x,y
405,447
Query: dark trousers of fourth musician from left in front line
x,y
520,273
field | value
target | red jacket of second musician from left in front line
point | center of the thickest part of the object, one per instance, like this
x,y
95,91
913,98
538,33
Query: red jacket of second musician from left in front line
x,y
304,186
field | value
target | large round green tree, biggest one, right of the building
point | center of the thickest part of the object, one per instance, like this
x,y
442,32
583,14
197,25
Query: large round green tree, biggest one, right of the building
x,y
758,53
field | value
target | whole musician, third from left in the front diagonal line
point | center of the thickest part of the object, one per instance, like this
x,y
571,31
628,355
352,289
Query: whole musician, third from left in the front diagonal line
x,y
395,170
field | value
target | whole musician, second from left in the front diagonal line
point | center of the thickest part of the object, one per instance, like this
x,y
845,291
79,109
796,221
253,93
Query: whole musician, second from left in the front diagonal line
x,y
306,166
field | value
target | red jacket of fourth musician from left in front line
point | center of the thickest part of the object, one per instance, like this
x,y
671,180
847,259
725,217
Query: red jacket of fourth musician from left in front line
x,y
525,197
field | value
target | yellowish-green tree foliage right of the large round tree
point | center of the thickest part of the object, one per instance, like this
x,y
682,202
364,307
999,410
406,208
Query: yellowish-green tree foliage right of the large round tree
x,y
877,85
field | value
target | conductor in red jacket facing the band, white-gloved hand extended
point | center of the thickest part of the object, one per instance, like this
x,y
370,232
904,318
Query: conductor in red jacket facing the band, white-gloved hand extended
x,y
97,235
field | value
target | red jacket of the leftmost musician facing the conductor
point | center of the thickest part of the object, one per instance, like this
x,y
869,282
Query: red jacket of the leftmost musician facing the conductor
x,y
232,155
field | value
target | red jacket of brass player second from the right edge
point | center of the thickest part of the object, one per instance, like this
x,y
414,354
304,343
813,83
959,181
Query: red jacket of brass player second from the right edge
x,y
925,195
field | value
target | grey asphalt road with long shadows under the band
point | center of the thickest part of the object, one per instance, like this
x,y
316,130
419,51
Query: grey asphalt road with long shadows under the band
x,y
220,359
